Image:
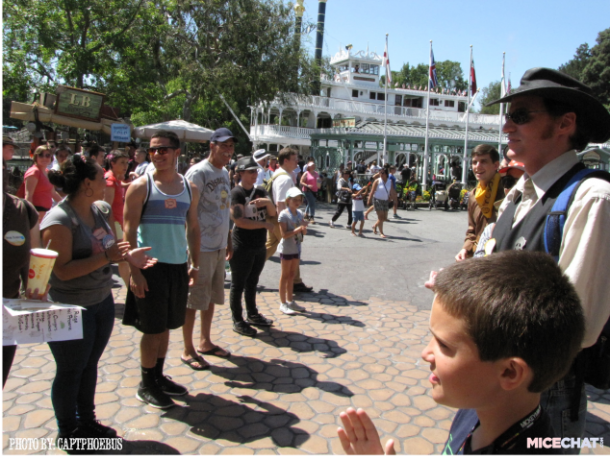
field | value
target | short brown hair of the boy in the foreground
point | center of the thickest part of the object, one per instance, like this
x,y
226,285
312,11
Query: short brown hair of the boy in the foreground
x,y
517,304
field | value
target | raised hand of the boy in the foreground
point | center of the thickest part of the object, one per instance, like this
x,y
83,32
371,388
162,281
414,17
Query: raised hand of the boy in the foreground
x,y
360,437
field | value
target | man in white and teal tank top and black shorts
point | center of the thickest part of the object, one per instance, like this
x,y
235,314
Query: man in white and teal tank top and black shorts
x,y
158,208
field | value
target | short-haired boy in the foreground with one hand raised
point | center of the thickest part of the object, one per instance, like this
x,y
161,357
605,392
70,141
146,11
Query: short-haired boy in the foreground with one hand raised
x,y
496,347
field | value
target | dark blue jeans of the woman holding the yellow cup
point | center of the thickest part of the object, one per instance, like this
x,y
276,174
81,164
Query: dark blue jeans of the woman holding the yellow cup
x,y
73,391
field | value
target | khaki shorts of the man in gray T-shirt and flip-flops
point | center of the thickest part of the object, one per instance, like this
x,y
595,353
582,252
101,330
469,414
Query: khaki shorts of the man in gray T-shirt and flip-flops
x,y
209,287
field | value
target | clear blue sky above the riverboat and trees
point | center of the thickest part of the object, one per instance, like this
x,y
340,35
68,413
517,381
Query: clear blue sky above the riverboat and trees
x,y
533,33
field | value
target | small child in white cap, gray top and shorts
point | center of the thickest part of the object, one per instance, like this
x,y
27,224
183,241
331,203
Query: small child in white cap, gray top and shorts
x,y
293,228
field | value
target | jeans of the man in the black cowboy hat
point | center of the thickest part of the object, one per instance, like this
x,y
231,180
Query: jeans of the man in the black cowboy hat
x,y
557,402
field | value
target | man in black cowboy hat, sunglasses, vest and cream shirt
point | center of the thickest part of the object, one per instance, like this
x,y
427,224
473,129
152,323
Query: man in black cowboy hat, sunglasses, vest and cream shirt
x,y
552,117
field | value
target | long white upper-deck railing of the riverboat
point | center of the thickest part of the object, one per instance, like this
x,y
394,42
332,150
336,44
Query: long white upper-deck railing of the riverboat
x,y
378,110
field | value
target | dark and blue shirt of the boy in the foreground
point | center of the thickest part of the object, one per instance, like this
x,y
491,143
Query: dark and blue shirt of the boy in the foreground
x,y
512,443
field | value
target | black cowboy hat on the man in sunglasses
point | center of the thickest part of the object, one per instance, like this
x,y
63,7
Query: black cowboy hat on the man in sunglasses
x,y
552,84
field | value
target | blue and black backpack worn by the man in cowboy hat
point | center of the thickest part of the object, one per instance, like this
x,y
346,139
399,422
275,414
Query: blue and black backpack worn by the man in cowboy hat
x,y
594,362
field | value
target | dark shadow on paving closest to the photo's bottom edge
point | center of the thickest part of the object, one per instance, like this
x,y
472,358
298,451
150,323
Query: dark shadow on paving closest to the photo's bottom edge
x,y
215,418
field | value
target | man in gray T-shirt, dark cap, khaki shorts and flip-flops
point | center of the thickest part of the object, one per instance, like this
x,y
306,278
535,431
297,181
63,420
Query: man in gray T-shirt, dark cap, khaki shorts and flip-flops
x,y
214,211
